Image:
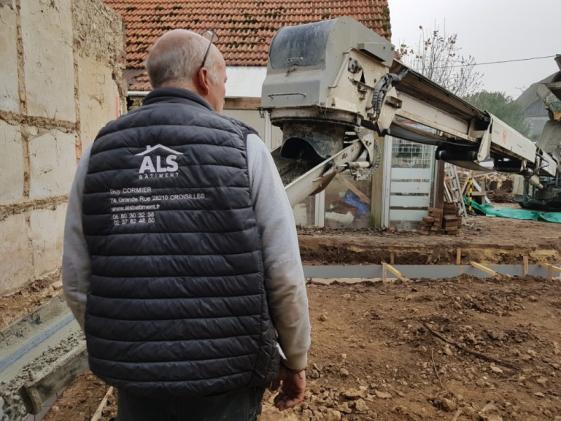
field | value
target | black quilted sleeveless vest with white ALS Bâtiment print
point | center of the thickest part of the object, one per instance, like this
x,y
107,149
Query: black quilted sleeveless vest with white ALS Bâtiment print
x,y
177,304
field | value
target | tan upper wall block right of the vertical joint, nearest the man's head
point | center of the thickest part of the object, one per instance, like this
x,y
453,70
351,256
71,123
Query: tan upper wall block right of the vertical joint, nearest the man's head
x,y
99,98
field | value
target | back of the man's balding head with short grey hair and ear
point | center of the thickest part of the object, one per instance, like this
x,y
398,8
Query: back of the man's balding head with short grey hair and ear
x,y
177,56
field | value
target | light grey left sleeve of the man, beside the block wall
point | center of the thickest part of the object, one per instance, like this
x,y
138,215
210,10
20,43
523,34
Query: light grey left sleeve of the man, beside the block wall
x,y
76,265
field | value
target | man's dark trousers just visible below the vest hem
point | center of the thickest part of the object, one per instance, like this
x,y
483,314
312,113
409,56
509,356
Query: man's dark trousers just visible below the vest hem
x,y
238,405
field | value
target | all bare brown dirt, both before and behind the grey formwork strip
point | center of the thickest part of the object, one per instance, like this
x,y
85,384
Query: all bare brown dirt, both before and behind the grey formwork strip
x,y
462,349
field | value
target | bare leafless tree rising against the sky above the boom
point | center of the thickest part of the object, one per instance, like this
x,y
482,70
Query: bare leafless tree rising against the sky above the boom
x,y
438,57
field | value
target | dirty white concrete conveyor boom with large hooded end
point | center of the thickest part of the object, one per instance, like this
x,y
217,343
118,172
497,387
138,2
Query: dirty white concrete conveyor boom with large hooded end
x,y
333,86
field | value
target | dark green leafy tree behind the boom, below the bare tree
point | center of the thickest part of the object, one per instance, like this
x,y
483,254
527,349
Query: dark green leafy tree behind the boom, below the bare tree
x,y
502,106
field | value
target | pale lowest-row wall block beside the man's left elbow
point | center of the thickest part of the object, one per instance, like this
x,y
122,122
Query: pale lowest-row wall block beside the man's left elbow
x,y
47,229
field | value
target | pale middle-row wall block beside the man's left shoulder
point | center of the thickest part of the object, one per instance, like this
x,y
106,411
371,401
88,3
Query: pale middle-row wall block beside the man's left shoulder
x,y
52,156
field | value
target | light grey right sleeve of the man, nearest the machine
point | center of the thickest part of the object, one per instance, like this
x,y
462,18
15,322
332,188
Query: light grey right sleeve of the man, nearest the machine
x,y
284,275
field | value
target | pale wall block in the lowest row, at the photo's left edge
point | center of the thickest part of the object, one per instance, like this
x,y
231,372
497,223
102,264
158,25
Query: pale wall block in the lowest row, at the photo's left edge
x,y
16,252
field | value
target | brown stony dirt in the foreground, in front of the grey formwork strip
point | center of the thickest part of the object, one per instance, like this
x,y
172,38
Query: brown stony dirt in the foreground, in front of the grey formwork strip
x,y
463,349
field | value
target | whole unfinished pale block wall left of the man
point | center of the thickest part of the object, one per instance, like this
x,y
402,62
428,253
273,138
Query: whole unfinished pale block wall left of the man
x,y
61,64
